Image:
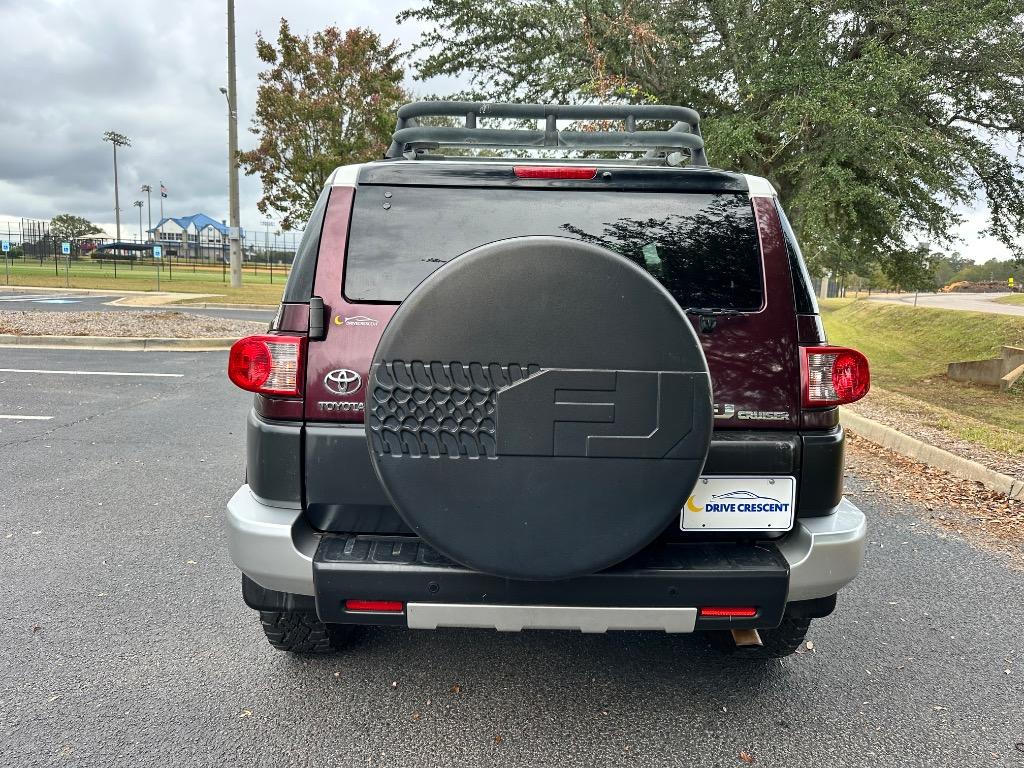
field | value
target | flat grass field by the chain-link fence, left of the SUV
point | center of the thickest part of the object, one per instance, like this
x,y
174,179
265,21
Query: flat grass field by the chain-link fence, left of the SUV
x,y
257,289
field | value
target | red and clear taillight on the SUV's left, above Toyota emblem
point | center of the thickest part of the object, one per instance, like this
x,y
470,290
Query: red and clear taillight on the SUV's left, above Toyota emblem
x,y
268,365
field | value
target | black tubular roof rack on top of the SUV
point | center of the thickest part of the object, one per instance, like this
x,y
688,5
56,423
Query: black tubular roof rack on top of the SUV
x,y
411,139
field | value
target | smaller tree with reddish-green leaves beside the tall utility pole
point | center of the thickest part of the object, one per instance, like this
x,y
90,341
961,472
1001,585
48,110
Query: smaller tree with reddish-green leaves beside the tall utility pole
x,y
326,100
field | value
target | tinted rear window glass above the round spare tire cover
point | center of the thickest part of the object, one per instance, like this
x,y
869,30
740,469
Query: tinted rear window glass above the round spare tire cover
x,y
703,248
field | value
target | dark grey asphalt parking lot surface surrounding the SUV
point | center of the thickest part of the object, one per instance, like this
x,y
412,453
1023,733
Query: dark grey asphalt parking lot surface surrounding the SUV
x,y
125,642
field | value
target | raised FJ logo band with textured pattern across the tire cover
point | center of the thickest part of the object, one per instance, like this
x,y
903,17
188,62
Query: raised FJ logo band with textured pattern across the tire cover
x,y
491,411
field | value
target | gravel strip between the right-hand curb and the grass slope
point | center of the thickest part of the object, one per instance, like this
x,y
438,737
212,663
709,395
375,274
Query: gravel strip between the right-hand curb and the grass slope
x,y
918,420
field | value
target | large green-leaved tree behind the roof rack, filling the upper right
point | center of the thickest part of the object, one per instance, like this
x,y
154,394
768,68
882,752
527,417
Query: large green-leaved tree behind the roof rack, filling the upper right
x,y
874,120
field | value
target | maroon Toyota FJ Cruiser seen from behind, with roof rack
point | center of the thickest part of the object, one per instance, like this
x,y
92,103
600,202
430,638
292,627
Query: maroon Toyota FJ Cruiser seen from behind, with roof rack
x,y
580,394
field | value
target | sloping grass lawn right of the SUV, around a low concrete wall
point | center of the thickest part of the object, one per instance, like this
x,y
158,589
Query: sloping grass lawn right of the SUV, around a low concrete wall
x,y
909,349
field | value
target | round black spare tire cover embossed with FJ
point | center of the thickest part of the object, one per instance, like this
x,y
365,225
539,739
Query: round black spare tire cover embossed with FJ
x,y
539,408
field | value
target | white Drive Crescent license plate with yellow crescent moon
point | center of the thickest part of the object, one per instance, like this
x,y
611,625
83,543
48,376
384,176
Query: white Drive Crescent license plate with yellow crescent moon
x,y
739,503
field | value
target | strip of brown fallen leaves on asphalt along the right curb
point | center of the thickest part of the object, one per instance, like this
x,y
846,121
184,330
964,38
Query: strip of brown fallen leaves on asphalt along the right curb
x,y
987,518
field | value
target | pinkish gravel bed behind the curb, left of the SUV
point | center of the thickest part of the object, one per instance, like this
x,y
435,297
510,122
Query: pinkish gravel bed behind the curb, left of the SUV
x,y
157,325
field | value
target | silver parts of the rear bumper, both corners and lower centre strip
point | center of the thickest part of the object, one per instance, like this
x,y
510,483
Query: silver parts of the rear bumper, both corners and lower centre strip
x,y
825,554
